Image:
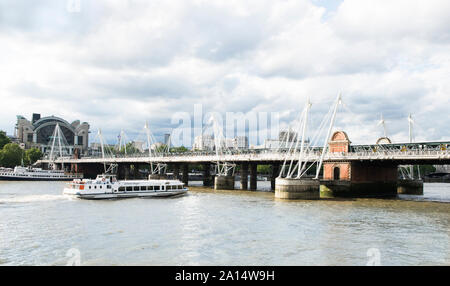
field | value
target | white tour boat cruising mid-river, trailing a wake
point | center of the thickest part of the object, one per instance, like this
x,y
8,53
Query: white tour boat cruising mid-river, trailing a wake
x,y
106,186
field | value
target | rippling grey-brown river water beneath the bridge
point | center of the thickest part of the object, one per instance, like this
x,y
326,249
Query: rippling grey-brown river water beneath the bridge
x,y
39,226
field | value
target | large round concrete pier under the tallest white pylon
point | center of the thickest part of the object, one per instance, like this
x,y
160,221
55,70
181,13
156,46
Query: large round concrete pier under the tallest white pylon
x,y
297,189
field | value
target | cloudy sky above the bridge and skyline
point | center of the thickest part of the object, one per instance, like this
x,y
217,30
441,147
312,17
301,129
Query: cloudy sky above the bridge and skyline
x,y
118,63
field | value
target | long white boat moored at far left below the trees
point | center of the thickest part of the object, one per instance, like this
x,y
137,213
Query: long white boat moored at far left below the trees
x,y
36,174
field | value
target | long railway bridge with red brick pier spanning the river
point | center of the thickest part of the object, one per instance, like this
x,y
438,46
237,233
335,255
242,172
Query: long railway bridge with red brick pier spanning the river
x,y
346,170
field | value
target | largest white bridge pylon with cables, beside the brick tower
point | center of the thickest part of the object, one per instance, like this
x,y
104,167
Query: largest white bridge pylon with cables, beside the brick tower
x,y
301,148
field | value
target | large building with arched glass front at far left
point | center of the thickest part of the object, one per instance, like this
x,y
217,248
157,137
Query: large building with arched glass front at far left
x,y
38,132
